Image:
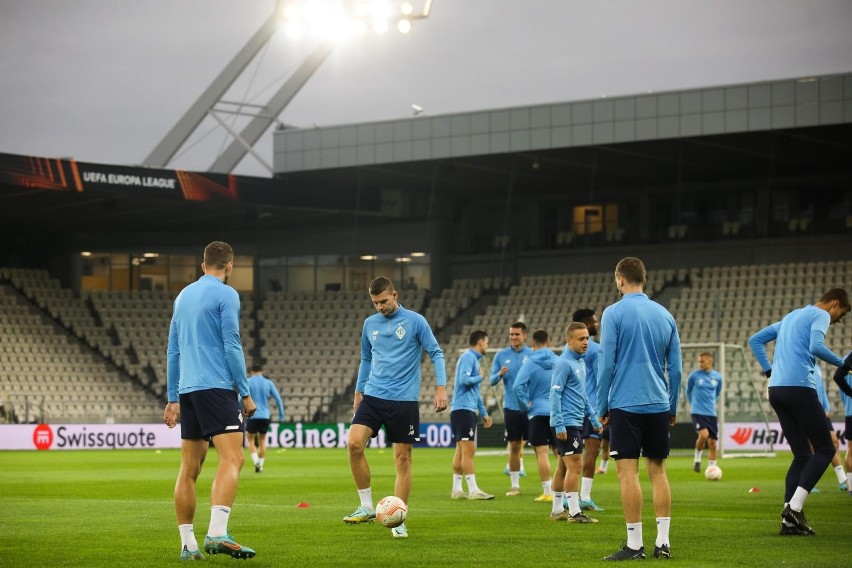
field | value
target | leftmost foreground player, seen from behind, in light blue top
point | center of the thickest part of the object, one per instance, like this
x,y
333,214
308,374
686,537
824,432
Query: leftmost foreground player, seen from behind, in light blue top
x,y
206,378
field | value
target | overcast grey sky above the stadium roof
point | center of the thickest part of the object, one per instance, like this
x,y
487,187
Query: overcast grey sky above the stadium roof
x,y
104,80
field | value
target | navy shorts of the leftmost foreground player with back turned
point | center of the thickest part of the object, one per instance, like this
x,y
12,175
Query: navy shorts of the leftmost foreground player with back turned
x,y
210,412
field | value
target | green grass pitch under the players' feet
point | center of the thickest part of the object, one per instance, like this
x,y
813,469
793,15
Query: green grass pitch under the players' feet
x,y
114,508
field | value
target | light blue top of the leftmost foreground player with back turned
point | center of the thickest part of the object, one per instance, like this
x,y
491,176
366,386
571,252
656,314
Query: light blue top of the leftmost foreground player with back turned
x,y
205,350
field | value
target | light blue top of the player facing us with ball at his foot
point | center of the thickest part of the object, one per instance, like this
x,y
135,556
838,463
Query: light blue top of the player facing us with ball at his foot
x,y
390,355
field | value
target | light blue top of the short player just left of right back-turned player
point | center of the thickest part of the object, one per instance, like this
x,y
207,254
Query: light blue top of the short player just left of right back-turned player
x,y
568,400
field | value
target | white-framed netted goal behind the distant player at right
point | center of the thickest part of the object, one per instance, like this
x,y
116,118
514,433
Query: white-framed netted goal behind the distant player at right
x,y
743,408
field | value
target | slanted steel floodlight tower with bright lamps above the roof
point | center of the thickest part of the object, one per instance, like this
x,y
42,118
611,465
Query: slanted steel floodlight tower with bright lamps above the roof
x,y
327,21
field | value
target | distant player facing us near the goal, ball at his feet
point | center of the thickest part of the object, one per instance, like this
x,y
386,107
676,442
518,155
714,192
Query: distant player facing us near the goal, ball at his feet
x,y
703,388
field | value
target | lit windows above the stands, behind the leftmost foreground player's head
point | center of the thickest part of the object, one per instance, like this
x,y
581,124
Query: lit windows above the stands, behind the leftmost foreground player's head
x,y
153,271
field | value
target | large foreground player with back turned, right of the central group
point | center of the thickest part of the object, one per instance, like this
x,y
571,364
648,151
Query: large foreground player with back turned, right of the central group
x,y
639,346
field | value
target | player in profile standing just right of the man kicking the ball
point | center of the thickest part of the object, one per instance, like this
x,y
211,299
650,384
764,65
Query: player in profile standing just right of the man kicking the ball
x,y
467,400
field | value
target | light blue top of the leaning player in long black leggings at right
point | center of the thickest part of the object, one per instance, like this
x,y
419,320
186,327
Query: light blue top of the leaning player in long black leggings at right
x,y
799,340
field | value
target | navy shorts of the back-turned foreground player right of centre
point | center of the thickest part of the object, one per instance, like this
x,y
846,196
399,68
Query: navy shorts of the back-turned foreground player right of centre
x,y
633,434
